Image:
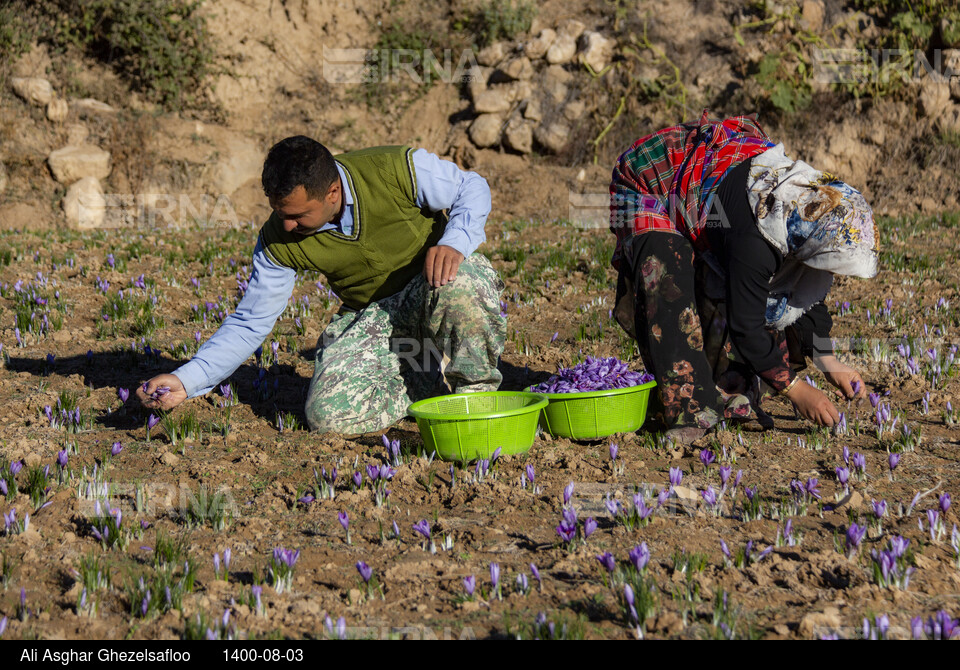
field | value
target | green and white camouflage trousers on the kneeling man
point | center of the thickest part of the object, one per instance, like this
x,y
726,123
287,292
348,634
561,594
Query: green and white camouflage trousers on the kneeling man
x,y
373,363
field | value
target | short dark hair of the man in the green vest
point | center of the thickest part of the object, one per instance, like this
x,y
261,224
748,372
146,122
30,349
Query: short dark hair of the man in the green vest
x,y
298,161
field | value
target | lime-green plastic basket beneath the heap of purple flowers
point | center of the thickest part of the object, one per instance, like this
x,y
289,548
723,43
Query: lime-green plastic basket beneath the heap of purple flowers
x,y
596,414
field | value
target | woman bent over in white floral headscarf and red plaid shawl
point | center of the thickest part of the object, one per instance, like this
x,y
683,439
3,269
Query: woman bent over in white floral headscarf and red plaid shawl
x,y
726,249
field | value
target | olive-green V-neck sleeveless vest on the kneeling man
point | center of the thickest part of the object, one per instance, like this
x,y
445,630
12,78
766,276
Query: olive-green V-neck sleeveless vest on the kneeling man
x,y
391,234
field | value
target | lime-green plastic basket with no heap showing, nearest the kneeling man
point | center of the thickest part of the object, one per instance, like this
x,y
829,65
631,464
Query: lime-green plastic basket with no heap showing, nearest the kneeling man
x,y
466,426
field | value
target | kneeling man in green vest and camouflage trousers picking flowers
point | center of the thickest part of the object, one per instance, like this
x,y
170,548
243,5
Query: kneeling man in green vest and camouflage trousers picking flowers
x,y
372,222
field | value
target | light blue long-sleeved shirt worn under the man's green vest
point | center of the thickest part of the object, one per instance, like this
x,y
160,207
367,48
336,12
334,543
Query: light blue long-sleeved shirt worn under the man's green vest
x,y
440,185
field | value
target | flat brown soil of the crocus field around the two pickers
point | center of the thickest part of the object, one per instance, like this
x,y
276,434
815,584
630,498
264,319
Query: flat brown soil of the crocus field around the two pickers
x,y
805,590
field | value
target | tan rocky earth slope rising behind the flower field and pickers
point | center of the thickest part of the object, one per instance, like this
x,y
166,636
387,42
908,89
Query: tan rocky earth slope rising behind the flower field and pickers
x,y
541,113
